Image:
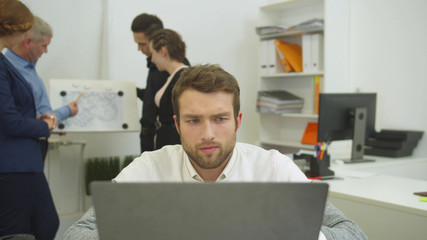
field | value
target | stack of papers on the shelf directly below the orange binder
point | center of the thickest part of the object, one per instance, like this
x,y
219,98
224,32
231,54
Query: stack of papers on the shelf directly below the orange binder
x,y
279,101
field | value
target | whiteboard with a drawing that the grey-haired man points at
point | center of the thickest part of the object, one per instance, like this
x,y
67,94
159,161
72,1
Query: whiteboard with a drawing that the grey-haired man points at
x,y
105,106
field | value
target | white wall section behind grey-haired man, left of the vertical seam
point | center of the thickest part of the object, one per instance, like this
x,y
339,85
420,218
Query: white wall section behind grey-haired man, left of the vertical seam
x,y
74,50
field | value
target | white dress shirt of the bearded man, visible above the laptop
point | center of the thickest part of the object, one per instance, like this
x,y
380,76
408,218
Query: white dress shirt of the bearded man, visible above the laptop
x,y
248,163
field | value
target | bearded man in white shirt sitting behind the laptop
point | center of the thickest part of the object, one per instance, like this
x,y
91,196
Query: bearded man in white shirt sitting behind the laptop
x,y
206,102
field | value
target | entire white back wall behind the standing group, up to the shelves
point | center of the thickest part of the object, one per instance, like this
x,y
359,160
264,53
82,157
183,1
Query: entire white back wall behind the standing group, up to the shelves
x,y
93,40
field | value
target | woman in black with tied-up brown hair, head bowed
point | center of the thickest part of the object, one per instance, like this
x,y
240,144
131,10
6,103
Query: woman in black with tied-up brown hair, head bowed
x,y
168,53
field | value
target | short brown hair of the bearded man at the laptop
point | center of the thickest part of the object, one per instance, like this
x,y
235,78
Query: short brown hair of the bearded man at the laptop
x,y
206,79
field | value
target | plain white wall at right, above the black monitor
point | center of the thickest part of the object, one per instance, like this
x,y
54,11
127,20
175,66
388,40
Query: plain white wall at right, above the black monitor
x,y
379,46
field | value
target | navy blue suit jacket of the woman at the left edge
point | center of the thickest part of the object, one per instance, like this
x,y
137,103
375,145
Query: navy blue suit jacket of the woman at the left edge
x,y
19,129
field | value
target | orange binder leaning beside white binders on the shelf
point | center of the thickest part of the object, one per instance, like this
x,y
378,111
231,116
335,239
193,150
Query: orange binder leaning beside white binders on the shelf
x,y
292,55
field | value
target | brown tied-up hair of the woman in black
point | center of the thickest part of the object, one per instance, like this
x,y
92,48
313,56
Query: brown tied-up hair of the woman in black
x,y
171,40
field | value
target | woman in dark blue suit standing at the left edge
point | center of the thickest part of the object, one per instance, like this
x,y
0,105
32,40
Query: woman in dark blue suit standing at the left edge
x,y
26,204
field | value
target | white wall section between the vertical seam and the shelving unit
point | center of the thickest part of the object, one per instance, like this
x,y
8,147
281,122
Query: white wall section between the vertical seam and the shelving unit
x,y
215,31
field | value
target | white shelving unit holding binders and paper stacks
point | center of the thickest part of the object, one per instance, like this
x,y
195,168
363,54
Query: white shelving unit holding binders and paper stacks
x,y
285,131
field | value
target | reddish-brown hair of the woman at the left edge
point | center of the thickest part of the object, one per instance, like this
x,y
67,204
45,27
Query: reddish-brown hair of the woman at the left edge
x,y
14,17
